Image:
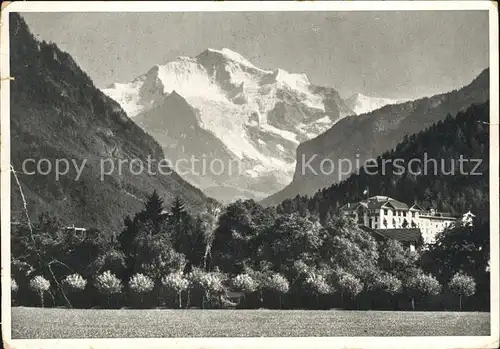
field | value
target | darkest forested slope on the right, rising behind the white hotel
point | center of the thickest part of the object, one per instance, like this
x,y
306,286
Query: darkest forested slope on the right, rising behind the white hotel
x,y
465,135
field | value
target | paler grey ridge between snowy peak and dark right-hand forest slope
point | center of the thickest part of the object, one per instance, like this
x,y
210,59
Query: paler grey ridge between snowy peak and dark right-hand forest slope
x,y
369,135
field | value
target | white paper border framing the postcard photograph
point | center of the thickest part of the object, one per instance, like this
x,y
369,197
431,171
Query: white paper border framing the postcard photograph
x,y
491,341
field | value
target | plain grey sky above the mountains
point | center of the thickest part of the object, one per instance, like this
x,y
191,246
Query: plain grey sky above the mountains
x,y
386,54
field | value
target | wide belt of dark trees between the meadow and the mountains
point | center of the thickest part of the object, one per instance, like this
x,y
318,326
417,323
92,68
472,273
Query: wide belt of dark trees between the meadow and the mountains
x,y
172,258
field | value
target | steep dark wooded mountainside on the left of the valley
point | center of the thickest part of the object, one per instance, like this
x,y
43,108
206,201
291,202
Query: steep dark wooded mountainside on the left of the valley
x,y
58,113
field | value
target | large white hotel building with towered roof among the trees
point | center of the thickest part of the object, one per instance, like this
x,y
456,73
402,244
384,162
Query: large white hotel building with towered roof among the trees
x,y
397,220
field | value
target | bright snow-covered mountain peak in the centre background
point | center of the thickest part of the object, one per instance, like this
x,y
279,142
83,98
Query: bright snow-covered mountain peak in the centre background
x,y
259,116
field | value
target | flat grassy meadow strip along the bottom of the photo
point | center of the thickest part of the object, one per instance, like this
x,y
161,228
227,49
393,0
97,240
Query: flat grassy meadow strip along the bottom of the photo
x,y
89,323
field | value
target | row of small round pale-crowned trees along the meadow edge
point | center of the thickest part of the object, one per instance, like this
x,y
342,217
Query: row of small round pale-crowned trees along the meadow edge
x,y
213,287
